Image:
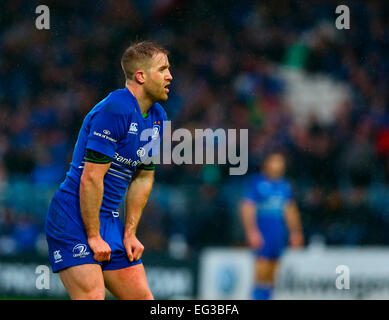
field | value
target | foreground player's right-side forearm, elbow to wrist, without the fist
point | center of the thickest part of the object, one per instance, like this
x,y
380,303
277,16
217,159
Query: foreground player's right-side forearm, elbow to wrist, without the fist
x,y
136,198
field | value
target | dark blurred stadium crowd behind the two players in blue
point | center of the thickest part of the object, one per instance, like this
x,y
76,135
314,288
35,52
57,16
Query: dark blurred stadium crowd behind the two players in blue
x,y
279,68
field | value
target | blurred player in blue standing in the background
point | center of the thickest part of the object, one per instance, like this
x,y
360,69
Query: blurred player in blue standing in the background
x,y
270,216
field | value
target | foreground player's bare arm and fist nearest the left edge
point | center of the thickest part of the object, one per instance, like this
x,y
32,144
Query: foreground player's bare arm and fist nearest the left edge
x,y
91,196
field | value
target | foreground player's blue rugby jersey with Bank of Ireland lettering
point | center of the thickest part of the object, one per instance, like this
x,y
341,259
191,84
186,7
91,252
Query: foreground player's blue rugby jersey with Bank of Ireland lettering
x,y
113,127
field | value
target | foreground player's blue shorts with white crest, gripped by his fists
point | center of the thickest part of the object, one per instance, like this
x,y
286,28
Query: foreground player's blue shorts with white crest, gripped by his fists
x,y
67,239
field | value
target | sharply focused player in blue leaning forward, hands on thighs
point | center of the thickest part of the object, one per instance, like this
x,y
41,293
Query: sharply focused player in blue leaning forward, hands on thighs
x,y
88,244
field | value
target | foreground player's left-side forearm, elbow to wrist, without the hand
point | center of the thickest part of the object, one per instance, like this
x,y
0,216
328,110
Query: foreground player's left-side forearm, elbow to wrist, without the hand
x,y
91,196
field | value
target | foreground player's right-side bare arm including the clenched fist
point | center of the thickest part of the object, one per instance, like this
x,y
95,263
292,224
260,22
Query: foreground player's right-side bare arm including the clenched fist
x,y
136,198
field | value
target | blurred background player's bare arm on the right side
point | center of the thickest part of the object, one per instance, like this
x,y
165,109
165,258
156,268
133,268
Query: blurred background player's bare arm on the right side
x,y
293,222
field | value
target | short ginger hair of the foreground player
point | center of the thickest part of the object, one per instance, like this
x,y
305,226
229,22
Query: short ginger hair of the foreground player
x,y
138,55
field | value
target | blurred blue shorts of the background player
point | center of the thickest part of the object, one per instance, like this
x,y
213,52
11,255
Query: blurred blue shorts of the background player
x,y
275,237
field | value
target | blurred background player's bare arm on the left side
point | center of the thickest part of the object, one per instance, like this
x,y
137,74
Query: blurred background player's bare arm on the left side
x,y
248,213
